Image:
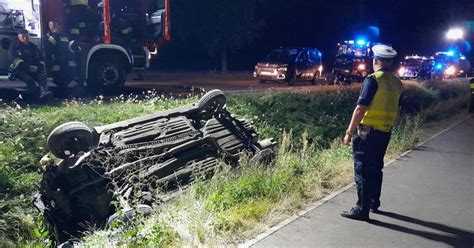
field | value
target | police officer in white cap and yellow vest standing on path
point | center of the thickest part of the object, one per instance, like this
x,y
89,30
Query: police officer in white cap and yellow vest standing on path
x,y
372,122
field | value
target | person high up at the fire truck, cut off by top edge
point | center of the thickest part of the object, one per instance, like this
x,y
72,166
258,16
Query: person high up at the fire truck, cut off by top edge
x,y
77,18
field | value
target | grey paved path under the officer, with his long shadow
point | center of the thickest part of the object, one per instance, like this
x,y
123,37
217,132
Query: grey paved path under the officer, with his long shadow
x,y
427,201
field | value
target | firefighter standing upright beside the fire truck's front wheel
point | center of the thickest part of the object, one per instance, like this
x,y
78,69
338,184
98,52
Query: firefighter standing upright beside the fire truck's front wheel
x,y
59,55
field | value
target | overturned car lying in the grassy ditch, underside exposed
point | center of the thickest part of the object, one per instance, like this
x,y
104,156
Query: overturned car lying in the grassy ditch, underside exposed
x,y
141,162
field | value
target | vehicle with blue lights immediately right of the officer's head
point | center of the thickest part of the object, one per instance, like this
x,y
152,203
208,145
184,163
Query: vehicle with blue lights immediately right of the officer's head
x,y
416,67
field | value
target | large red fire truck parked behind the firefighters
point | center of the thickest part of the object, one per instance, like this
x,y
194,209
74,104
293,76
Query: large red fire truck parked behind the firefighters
x,y
104,58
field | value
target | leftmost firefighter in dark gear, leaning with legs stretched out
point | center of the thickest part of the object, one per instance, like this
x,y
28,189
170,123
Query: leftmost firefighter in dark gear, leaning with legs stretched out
x,y
27,65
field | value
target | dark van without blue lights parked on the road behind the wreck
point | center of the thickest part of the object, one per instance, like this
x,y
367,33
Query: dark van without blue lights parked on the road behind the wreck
x,y
290,65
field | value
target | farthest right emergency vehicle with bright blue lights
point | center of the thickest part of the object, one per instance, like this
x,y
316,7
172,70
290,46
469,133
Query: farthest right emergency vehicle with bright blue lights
x,y
450,64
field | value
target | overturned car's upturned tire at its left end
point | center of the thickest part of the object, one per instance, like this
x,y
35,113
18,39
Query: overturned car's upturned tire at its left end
x,y
70,139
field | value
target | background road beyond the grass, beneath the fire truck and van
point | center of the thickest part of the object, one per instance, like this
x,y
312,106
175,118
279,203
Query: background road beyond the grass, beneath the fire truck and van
x,y
179,83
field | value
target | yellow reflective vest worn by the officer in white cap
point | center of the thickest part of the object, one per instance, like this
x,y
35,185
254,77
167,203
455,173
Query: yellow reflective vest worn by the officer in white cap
x,y
382,112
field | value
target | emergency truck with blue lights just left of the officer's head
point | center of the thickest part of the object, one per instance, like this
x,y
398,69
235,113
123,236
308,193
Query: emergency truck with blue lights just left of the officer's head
x,y
353,62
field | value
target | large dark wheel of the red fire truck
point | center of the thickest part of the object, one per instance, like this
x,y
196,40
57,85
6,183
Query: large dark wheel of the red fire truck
x,y
107,75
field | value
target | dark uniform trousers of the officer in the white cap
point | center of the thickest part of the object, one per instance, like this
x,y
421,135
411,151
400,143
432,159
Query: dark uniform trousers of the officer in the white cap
x,y
368,153
